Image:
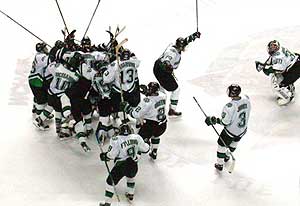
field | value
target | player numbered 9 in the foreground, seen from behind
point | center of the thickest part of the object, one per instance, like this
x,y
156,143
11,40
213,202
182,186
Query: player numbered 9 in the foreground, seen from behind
x,y
123,149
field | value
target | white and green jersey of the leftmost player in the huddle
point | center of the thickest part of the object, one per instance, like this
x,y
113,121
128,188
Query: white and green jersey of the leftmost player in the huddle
x,y
37,73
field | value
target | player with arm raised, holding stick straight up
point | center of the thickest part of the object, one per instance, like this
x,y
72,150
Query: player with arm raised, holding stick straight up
x,y
166,64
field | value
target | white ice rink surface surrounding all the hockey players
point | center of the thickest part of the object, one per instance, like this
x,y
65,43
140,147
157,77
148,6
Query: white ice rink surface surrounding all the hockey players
x,y
36,169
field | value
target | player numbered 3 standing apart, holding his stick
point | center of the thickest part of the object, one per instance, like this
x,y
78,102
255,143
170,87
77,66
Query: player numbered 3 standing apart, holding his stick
x,y
234,118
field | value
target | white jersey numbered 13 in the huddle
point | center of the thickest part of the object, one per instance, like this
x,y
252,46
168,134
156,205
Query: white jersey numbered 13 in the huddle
x,y
126,75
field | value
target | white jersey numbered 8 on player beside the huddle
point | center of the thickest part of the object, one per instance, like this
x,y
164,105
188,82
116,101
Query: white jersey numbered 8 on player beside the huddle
x,y
151,108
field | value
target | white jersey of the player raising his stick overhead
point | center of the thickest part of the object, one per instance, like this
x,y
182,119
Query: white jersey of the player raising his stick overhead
x,y
172,56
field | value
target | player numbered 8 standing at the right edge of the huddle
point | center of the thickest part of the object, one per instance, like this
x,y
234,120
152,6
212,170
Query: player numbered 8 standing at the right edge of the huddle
x,y
152,110
